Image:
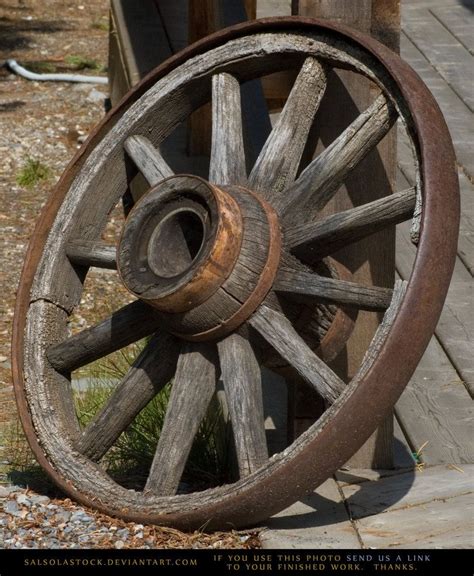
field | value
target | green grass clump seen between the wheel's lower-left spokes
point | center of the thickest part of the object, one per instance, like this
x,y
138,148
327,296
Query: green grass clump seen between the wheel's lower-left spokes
x,y
130,459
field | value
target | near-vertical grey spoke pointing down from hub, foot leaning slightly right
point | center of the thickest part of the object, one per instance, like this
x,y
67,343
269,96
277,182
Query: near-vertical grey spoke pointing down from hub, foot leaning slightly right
x,y
243,389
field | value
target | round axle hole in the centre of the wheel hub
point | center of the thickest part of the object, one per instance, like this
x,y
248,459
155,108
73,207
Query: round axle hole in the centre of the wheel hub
x,y
175,243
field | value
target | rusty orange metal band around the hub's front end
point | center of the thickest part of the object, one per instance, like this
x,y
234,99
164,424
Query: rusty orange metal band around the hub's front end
x,y
217,265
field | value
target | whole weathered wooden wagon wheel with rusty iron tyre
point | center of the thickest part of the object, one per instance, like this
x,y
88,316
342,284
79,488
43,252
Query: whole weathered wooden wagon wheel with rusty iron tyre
x,y
212,263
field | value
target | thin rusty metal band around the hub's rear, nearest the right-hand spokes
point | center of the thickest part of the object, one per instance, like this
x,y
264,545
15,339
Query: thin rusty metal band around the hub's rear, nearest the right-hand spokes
x,y
263,286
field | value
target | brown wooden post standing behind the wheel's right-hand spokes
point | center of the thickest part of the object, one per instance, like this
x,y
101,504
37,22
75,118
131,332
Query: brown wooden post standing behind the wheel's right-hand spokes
x,y
371,261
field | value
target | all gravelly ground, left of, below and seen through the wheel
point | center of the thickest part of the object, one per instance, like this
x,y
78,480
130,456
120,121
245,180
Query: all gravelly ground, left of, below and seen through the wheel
x,y
47,122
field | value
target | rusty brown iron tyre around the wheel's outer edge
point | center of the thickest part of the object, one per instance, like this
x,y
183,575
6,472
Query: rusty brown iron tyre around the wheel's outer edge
x,y
352,421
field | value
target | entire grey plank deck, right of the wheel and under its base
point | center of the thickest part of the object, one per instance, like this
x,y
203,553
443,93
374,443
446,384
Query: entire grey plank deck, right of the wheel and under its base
x,y
431,508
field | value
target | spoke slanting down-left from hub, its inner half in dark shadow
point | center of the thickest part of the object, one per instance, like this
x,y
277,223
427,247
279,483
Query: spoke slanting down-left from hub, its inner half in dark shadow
x,y
125,326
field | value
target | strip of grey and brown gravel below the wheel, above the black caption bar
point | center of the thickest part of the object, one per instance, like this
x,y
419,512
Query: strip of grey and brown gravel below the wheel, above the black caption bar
x,y
32,520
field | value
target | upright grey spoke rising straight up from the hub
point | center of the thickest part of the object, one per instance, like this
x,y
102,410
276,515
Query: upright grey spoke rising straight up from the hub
x,y
227,165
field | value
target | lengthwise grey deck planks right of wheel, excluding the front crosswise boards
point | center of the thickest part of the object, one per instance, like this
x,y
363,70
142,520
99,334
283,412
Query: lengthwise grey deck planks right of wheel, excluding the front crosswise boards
x,y
436,407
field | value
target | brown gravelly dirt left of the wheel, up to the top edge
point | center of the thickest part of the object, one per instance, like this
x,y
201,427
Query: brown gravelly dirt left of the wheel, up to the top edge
x,y
44,121
